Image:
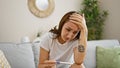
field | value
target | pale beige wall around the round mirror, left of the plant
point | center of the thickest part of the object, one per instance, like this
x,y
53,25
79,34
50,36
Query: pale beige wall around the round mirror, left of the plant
x,y
16,21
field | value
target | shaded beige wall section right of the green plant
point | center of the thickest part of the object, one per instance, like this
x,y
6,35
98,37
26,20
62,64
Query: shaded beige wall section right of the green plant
x,y
112,24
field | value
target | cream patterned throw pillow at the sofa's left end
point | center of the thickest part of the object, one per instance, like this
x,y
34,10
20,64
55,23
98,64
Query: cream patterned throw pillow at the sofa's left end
x,y
3,61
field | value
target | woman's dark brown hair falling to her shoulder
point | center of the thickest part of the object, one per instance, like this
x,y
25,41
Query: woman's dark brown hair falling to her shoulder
x,y
64,19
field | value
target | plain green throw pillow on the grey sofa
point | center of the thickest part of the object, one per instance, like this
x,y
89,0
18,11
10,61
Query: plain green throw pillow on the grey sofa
x,y
108,57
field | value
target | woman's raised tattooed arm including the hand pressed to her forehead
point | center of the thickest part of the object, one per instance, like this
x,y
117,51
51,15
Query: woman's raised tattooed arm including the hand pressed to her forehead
x,y
80,51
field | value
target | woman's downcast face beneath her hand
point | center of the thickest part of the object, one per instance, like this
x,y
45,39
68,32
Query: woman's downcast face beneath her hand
x,y
69,31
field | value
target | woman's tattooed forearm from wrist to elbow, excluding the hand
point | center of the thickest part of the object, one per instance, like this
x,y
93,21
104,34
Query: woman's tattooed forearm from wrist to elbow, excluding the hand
x,y
80,51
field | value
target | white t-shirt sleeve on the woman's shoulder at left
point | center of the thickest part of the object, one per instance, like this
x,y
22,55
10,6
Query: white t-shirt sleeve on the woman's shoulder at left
x,y
46,41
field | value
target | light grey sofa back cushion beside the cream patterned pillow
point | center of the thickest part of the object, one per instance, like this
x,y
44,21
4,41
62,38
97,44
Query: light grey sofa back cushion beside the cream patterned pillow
x,y
18,55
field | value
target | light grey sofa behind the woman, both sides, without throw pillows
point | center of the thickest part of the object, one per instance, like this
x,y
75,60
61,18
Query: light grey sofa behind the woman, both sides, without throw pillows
x,y
26,55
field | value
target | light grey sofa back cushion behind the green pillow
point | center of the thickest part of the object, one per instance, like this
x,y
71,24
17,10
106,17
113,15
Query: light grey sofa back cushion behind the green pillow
x,y
90,59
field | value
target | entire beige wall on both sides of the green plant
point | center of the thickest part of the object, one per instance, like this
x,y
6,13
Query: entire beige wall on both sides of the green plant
x,y
16,21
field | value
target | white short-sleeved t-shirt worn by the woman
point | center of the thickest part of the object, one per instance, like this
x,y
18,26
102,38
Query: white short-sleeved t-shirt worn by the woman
x,y
58,51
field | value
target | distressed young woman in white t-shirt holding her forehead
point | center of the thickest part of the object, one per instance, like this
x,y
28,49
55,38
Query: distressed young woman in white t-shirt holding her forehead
x,y
60,43
